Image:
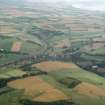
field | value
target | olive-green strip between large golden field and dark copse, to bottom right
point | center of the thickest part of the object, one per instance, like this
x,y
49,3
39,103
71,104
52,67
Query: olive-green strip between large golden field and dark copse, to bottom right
x,y
80,99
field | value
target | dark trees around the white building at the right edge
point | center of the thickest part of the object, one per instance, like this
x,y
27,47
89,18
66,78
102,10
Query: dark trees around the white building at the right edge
x,y
91,65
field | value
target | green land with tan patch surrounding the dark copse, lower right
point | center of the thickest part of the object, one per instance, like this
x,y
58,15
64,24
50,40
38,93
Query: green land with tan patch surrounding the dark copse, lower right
x,y
94,83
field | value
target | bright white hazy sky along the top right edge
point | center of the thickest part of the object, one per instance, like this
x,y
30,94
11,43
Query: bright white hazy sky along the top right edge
x,y
83,4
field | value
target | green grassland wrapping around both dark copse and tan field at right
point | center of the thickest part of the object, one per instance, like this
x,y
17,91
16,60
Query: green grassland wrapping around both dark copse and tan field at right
x,y
81,75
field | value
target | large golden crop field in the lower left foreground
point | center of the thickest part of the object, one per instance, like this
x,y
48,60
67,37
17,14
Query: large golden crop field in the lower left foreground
x,y
38,89
